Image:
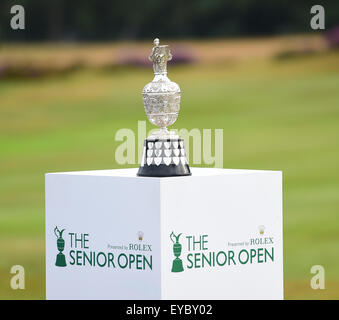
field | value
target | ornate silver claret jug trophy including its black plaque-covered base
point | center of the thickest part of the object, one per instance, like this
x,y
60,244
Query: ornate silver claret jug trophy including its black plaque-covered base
x,y
163,153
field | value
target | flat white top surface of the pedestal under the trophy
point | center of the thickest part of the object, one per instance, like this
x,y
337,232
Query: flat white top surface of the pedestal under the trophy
x,y
196,172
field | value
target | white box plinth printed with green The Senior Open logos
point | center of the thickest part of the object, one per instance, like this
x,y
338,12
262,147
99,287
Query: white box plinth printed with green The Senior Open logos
x,y
219,212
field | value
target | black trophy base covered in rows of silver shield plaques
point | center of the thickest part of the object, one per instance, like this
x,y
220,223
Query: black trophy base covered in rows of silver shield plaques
x,y
164,158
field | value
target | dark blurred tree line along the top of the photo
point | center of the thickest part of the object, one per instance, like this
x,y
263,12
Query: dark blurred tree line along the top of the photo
x,y
103,20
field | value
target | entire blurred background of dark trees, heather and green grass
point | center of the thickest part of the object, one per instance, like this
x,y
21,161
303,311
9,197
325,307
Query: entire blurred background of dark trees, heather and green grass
x,y
256,69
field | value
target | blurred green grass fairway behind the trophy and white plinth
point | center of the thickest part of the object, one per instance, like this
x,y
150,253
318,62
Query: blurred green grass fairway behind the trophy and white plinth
x,y
276,114
